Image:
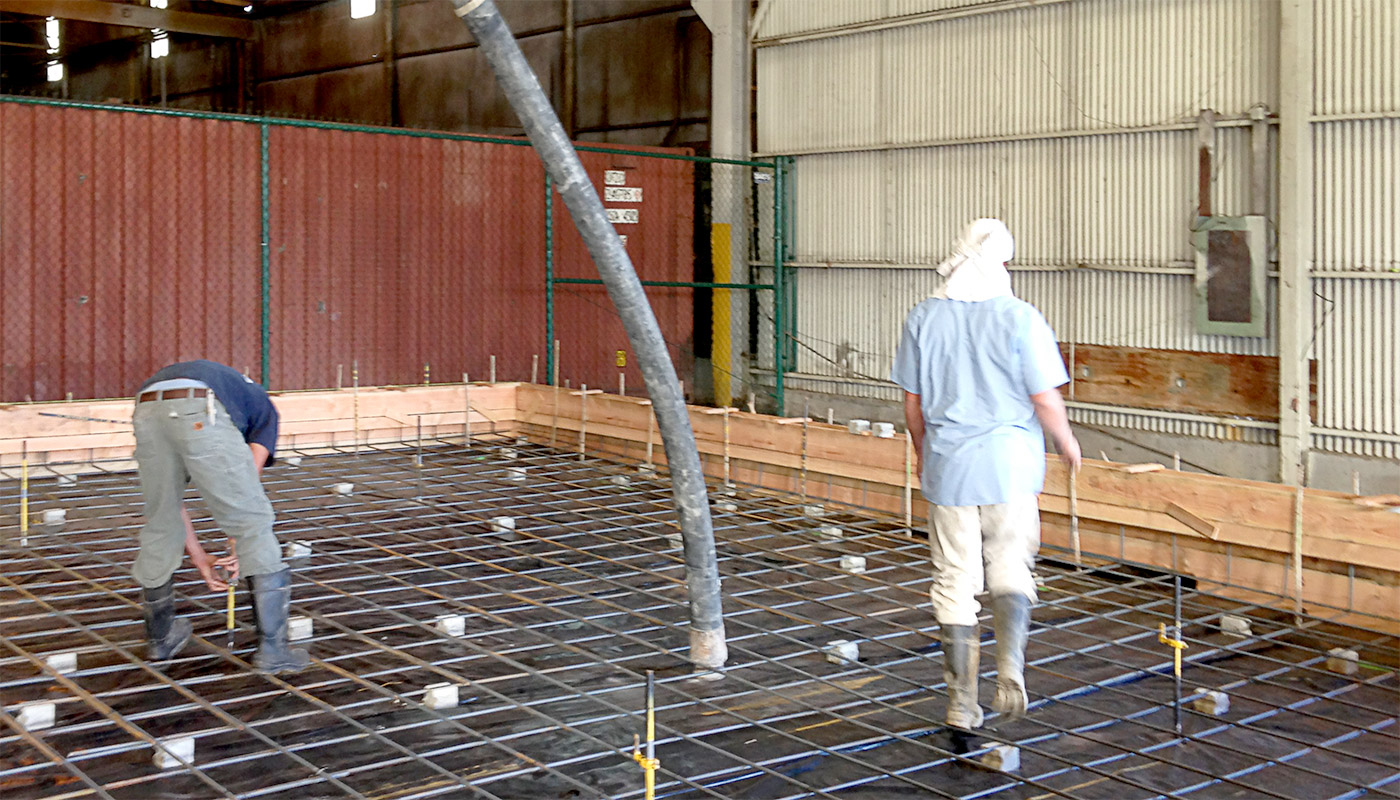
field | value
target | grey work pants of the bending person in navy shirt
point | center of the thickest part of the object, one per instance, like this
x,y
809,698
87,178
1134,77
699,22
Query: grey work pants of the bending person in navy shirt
x,y
178,442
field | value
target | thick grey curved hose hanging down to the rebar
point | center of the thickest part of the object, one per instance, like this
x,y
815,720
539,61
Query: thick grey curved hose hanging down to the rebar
x,y
709,649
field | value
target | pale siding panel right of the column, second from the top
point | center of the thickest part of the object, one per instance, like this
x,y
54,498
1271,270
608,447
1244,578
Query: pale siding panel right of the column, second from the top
x,y
1357,184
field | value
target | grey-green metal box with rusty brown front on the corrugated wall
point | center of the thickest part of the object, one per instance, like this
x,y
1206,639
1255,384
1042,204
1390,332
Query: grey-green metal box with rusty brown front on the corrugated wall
x,y
1231,261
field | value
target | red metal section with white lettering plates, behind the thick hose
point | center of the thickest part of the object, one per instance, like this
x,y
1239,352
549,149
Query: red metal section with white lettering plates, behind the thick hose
x,y
661,246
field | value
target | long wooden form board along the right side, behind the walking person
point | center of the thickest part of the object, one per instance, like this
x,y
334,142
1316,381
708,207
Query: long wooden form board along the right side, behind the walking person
x,y
1226,532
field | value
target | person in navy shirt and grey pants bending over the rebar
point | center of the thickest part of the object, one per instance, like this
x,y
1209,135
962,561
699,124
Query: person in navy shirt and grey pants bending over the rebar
x,y
208,424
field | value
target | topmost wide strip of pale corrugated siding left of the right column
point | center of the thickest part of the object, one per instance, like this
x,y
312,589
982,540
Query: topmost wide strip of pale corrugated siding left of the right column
x,y
1077,67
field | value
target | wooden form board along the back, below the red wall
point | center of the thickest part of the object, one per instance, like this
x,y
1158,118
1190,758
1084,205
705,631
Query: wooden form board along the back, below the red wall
x,y
309,420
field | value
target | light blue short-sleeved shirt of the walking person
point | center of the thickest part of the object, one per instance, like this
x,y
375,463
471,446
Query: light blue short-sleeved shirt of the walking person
x,y
975,368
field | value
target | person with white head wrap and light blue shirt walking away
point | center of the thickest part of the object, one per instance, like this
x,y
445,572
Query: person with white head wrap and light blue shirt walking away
x,y
981,372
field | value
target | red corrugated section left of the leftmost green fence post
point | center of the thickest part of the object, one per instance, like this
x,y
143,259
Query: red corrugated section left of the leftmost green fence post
x,y
128,243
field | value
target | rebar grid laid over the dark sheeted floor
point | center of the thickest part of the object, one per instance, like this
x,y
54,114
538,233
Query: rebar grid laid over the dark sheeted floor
x,y
569,612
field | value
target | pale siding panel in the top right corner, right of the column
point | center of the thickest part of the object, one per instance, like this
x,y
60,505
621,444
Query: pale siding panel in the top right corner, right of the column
x,y
1357,57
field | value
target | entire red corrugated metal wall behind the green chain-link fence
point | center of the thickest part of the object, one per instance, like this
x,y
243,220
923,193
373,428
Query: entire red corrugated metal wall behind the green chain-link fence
x,y
129,242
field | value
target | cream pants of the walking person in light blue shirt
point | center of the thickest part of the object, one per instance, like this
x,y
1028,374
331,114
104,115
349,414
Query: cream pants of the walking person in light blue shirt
x,y
976,546
